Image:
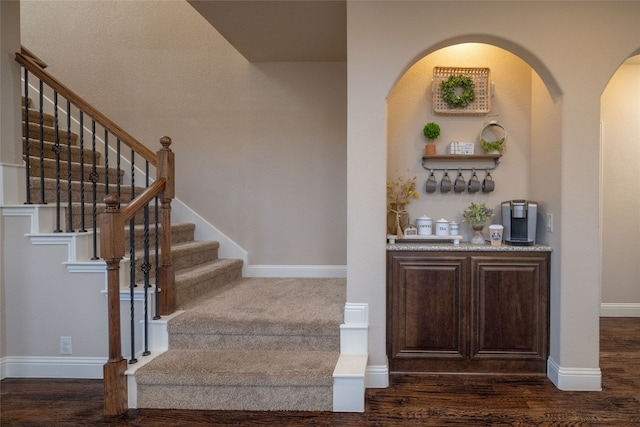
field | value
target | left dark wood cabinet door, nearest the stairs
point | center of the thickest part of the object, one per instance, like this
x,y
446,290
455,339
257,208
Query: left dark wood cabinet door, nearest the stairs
x,y
428,324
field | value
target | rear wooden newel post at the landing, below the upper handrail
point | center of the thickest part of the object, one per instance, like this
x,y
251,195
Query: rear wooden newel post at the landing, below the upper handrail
x,y
166,279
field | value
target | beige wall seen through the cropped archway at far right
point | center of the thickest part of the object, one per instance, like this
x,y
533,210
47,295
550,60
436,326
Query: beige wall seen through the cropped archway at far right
x,y
621,190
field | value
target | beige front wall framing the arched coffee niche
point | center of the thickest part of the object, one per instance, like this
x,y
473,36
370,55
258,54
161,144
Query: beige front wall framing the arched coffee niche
x,y
558,40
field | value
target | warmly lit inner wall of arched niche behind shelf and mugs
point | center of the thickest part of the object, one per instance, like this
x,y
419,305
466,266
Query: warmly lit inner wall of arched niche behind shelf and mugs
x,y
527,104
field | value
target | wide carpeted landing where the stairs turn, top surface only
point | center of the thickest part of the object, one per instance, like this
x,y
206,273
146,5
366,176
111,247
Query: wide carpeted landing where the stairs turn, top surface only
x,y
271,306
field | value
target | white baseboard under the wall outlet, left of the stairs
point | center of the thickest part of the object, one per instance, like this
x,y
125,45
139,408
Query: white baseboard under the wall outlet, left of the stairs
x,y
52,367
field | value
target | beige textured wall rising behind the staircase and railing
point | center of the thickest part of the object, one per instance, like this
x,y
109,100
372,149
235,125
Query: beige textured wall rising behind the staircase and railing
x,y
260,148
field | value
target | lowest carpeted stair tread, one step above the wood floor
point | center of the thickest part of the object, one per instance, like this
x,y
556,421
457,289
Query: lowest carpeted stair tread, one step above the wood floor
x,y
240,368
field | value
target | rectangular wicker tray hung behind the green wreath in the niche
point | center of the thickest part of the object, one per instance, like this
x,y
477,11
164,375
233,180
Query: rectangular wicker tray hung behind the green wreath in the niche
x,y
482,91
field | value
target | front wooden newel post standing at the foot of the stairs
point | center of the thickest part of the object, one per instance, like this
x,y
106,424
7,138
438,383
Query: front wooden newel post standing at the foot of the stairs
x,y
112,251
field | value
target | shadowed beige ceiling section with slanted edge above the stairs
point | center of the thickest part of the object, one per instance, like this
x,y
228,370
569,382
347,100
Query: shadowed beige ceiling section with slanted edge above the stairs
x,y
272,30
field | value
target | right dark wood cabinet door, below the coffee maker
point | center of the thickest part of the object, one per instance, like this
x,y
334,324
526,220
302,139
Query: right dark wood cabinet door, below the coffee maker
x,y
509,324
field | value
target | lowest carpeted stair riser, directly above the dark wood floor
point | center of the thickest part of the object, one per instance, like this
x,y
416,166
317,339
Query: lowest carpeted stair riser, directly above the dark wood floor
x,y
236,398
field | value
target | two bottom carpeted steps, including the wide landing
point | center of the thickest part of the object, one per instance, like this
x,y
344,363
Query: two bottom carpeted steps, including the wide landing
x,y
254,344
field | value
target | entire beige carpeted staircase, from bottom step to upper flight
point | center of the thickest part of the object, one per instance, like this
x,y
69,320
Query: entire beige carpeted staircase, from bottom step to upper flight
x,y
240,344
